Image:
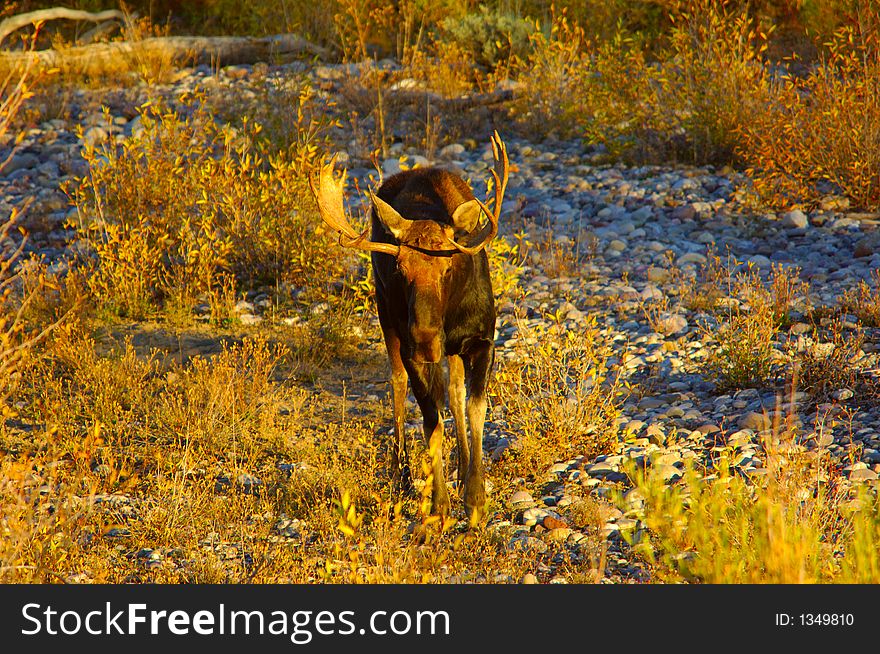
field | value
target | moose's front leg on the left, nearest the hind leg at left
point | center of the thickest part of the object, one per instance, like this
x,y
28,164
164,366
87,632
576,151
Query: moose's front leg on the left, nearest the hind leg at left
x,y
428,385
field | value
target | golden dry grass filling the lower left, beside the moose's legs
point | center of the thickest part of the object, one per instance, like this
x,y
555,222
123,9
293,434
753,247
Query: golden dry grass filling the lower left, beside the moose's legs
x,y
135,467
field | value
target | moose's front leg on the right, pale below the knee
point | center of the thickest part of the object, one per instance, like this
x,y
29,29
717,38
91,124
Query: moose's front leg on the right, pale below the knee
x,y
480,364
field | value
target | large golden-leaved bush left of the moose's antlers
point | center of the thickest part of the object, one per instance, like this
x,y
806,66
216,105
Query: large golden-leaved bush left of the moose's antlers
x,y
186,208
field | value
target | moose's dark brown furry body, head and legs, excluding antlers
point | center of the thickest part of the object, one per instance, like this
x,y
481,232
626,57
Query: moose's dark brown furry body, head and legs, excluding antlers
x,y
434,301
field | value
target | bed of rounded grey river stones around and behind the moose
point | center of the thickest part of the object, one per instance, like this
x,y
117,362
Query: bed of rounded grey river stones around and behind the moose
x,y
627,233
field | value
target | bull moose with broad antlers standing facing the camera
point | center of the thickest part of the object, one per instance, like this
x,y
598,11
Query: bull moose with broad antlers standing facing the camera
x,y
434,298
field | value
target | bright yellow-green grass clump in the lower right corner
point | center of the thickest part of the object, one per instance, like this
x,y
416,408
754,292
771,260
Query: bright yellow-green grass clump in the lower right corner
x,y
791,525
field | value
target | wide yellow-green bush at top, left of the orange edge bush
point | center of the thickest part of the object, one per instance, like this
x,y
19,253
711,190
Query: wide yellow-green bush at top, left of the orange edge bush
x,y
685,105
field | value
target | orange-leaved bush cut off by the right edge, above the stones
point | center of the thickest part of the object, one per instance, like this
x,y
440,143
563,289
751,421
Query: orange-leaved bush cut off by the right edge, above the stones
x,y
821,134
